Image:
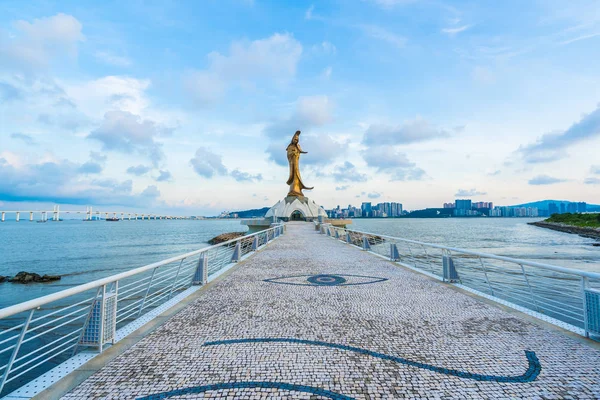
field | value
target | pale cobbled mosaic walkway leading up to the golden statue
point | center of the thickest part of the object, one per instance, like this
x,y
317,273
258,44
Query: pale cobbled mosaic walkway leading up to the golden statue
x,y
404,337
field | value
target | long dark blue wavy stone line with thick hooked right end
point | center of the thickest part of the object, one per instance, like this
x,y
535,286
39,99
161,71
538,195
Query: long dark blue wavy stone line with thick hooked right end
x,y
530,375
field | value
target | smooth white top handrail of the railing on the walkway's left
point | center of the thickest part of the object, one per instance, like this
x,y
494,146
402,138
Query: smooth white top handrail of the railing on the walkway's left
x,y
40,301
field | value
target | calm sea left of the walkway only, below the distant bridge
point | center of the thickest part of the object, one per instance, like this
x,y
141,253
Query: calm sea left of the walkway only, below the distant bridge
x,y
82,251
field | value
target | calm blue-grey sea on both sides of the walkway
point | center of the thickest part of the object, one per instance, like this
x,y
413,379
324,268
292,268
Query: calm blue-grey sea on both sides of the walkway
x,y
85,251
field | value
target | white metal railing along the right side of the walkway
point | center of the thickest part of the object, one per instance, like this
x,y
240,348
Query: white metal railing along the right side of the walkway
x,y
562,296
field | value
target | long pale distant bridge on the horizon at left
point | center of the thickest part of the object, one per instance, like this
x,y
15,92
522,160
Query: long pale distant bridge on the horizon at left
x,y
90,215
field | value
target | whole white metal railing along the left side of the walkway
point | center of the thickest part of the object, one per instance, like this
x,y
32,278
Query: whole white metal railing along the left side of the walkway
x,y
38,334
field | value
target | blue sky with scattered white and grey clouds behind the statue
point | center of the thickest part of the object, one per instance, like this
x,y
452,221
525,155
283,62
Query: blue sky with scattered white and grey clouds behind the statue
x,y
187,107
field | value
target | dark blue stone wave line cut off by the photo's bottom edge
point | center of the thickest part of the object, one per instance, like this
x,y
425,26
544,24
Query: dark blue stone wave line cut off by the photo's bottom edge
x,y
248,385
